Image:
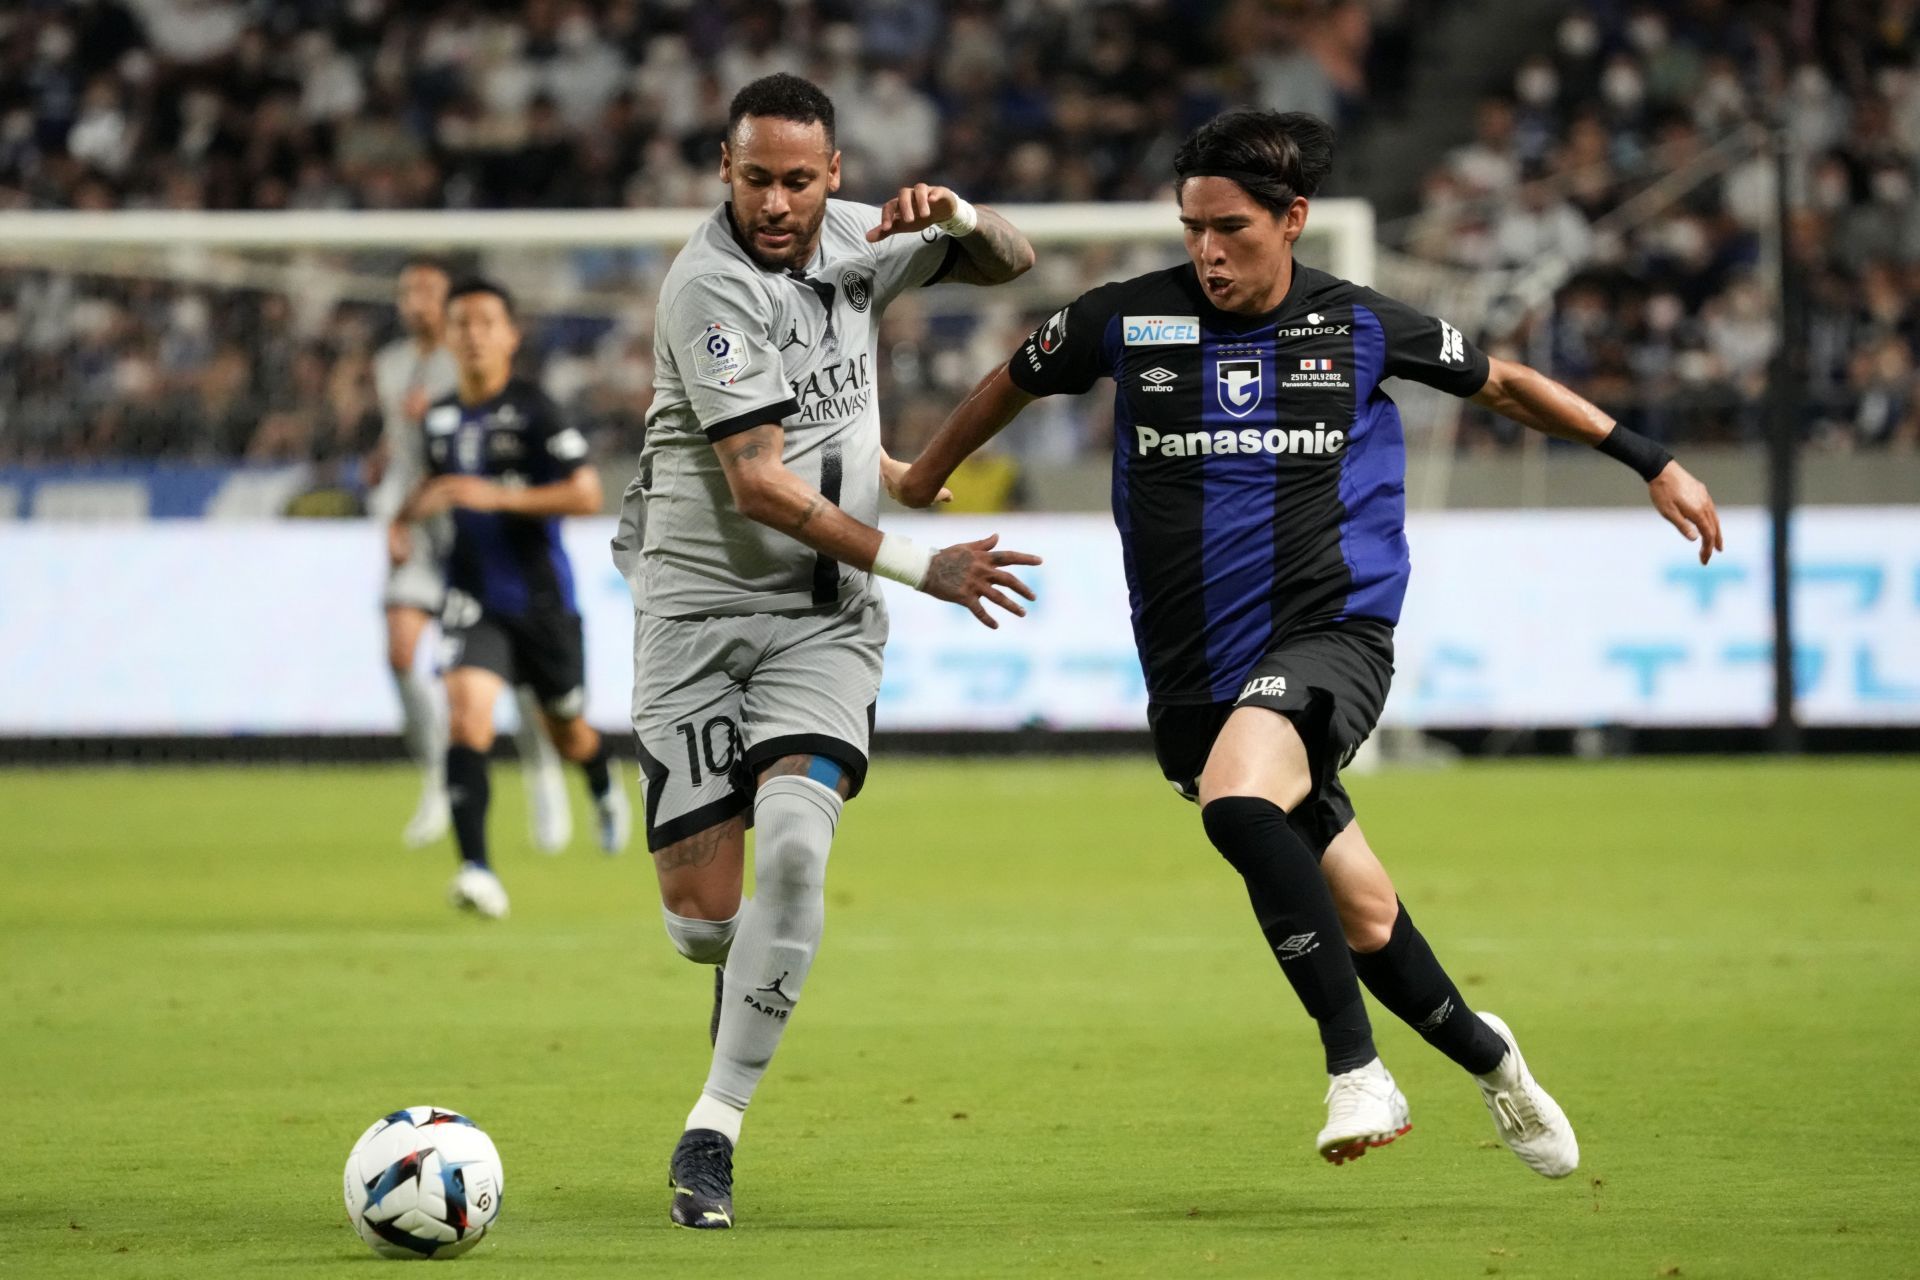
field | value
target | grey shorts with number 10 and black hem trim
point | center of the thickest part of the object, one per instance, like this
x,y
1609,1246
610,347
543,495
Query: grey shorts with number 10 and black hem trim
x,y
721,698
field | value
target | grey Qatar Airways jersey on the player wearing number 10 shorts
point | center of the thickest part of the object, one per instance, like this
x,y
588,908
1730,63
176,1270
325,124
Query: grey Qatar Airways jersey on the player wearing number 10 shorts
x,y
738,346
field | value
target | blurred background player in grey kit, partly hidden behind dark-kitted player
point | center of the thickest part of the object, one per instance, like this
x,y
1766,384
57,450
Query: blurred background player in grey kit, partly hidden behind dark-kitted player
x,y
412,373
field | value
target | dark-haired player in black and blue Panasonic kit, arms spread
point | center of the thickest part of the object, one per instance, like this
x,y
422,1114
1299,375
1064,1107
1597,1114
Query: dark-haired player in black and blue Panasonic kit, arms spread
x,y
1260,496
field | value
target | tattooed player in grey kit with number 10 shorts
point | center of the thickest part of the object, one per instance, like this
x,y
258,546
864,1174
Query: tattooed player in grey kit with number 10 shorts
x,y
759,632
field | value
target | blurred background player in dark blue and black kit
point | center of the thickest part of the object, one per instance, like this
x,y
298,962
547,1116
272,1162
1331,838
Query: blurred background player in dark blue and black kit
x,y
504,463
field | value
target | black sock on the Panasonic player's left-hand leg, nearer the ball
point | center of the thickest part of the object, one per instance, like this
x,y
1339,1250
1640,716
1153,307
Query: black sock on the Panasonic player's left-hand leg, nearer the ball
x,y
1297,914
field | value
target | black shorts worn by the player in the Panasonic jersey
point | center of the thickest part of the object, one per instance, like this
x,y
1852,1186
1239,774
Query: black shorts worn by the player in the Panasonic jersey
x,y
1332,682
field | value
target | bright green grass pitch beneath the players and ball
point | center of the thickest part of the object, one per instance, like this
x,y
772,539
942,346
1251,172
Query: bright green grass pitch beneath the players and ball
x,y
1044,1035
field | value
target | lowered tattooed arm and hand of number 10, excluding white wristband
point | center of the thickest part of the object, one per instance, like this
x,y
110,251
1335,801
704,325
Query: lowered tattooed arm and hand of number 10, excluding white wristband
x,y
767,492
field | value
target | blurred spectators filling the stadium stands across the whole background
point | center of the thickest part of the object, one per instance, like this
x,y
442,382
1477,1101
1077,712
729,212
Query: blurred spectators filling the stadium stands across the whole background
x,y
370,105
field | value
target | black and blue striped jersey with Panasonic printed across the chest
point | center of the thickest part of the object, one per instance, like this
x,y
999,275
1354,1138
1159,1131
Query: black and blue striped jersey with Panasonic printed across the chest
x,y
1259,467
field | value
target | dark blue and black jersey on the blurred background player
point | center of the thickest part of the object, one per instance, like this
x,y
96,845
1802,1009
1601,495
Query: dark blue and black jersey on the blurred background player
x,y
514,565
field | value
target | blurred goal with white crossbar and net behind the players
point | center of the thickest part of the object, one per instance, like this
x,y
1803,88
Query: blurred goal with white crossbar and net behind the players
x,y
204,341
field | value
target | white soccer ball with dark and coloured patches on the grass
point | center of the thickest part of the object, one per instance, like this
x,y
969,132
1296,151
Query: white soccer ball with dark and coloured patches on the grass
x,y
423,1183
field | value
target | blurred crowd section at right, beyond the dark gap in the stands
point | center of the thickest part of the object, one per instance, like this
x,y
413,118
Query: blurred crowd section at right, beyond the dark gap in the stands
x,y
1635,154
